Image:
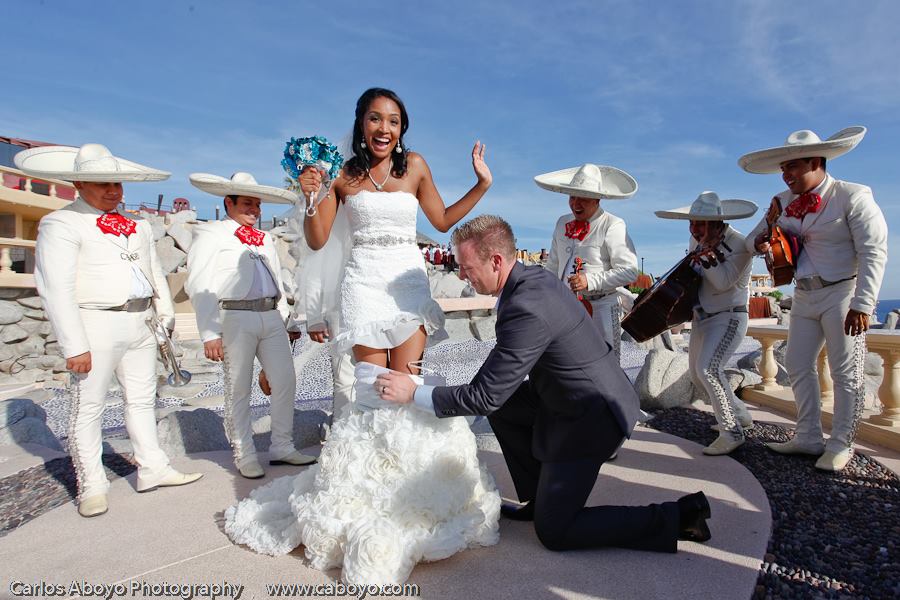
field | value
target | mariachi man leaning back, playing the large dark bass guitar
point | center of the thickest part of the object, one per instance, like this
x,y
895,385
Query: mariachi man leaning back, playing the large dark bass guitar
x,y
719,323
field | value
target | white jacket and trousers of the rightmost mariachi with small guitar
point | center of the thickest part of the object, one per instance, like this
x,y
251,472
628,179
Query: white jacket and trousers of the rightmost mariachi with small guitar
x,y
842,261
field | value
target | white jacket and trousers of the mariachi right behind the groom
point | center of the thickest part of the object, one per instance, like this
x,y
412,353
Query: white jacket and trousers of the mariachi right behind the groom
x,y
609,263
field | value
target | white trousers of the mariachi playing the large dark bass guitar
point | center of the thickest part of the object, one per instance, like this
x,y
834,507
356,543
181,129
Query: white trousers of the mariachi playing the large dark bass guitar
x,y
713,342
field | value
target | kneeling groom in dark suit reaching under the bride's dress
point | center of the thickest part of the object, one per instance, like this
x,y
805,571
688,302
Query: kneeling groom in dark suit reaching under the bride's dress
x,y
559,426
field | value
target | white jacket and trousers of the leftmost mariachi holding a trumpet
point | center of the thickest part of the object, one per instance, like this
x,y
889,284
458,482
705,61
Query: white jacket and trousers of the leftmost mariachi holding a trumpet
x,y
81,272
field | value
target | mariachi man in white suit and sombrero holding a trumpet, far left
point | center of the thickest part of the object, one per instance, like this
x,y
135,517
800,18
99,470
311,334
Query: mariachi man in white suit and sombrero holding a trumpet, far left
x,y
101,283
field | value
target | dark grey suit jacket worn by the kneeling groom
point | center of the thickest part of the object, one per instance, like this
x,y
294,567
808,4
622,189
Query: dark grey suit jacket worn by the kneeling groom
x,y
544,333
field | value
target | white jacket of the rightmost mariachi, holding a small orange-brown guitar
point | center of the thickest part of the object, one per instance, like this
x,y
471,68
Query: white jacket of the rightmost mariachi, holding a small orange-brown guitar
x,y
847,236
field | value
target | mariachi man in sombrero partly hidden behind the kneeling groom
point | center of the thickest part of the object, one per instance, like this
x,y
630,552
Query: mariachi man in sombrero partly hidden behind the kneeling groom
x,y
596,237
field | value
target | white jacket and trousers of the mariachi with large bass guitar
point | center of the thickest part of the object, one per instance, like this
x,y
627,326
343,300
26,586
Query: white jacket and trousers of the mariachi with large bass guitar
x,y
719,326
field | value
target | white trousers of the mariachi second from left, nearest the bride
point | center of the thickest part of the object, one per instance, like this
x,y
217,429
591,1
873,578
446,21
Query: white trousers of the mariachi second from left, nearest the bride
x,y
247,335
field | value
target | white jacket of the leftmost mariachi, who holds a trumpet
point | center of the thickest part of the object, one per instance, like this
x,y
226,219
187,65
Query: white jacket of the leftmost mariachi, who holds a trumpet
x,y
77,265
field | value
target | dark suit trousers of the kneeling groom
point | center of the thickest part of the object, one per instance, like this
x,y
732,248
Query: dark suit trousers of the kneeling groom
x,y
559,489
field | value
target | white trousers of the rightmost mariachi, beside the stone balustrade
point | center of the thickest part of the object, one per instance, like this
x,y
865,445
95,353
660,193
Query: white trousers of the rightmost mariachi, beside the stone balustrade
x,y
817,318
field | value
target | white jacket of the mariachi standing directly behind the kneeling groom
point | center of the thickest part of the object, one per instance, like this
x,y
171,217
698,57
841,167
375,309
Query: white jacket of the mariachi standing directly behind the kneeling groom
x,y
607,252
